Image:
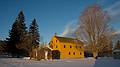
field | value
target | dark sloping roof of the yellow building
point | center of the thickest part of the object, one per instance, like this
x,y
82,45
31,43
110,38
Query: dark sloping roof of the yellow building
x,y
69,40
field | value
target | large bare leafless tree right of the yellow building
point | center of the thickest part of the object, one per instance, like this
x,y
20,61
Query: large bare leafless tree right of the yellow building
x,y
94,28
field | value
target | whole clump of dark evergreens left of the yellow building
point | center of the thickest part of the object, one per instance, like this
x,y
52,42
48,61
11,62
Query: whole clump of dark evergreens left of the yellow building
x,y
21,40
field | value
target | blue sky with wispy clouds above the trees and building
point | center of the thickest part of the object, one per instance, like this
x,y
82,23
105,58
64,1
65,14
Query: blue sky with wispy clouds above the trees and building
x,y
53,16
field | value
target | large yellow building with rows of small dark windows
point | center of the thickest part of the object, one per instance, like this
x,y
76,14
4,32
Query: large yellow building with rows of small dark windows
x,y
66,48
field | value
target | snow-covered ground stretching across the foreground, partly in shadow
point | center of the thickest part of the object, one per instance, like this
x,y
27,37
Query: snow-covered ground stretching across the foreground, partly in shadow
x,y
87,62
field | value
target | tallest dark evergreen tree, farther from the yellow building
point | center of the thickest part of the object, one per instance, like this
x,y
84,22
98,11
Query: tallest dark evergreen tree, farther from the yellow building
x,y
17,36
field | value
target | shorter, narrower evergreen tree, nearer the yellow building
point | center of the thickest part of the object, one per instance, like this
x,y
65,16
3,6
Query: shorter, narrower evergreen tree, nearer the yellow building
x,y
34,34
